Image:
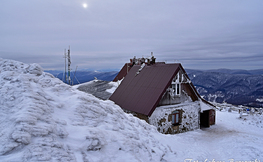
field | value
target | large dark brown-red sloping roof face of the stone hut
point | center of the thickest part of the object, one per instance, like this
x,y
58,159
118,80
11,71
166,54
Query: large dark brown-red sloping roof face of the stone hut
x,y
142,92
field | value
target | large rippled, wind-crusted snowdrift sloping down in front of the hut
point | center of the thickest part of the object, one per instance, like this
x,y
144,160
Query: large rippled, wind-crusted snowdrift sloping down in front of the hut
x,y
43,119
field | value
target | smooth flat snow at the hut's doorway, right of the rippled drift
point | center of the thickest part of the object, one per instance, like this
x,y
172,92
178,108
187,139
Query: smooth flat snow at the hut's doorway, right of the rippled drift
x,y
230,138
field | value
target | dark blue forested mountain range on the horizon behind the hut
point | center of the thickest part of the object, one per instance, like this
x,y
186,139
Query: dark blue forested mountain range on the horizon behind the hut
x,y
238,87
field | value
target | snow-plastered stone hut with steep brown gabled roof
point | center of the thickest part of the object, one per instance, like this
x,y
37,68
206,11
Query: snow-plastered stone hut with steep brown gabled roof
x,y
163,95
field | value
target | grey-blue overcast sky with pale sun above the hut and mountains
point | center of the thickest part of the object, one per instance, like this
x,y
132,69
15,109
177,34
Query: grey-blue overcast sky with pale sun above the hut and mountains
x,y
200,34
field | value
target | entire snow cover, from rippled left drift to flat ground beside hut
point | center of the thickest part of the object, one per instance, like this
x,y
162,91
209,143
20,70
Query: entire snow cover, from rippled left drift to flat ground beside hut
x,y
43,119
